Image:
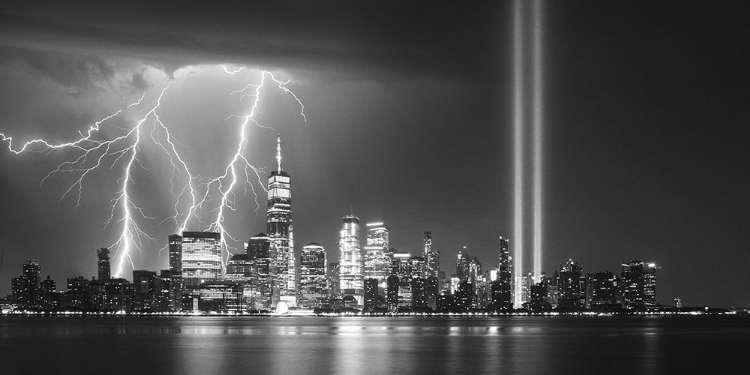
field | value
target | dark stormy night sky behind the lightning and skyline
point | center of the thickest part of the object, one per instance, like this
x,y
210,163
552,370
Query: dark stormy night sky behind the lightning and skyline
x,y
408,122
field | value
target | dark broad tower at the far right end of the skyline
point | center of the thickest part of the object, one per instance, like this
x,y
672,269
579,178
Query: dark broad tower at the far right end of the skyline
x,y
638,284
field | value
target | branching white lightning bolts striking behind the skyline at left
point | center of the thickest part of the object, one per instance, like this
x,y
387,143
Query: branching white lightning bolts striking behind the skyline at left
x,y
94,154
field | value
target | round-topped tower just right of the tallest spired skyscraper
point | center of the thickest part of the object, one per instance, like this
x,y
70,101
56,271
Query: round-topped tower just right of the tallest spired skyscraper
x,y
313,286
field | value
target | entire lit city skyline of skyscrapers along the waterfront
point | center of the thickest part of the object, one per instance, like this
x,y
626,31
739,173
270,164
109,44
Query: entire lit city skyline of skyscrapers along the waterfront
x,y
366,275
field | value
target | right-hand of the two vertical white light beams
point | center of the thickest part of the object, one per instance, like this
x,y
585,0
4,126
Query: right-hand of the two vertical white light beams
x,y
537,125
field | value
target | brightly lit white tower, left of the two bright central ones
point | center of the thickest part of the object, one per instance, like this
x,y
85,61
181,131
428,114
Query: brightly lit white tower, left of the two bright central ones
x,y
351,264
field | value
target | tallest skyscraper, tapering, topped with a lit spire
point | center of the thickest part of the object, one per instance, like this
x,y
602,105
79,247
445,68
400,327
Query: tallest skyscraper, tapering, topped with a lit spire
x,y
280,229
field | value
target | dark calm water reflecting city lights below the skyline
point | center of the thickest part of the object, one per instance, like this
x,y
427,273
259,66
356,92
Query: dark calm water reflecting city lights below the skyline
x,y
516,345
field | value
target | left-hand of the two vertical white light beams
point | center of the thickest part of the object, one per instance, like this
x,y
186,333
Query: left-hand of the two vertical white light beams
x,y
518,149
